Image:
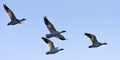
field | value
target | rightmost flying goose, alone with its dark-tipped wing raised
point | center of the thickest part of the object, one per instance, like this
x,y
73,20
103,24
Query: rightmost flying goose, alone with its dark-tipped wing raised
x,y
95,43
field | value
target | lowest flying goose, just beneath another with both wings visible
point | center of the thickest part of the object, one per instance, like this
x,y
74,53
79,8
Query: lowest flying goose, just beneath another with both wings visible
x,y
52,48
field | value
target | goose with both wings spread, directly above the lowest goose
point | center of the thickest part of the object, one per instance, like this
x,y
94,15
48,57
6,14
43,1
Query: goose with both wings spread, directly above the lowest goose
x,y
53,31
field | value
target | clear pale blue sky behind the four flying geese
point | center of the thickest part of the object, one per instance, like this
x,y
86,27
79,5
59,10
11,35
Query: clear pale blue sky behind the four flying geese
x,y
23,41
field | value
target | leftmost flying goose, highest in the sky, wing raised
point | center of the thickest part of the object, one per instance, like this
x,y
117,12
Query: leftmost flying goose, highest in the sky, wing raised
x,y
14,20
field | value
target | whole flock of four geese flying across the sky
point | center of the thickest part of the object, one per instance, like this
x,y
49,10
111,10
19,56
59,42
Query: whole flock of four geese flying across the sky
x,y
53,33
